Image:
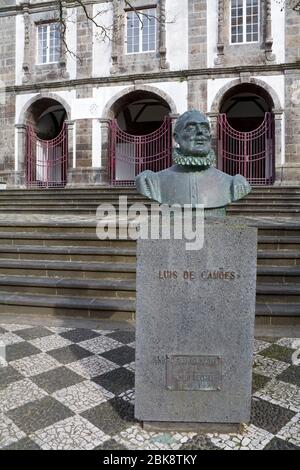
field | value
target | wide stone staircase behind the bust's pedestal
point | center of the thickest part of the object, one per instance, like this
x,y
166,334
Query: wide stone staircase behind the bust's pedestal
x,y
52,263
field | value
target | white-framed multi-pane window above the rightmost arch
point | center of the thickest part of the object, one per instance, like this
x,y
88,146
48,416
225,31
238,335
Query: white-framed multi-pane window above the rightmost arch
x,y
244,21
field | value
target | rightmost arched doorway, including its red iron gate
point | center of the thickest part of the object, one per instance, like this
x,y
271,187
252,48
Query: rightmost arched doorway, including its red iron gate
x,y
246,134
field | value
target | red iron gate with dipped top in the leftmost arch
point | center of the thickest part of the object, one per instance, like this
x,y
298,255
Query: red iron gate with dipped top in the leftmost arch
x,y
46,160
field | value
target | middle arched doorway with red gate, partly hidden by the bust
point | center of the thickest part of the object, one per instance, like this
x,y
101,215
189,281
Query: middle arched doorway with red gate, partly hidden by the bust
x,y
140,136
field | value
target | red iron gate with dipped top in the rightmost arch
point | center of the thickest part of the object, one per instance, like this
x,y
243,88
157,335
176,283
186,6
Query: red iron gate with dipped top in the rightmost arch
x,y
250,154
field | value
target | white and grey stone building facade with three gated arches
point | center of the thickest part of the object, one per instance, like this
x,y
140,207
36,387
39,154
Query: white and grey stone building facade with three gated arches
x,y
98,107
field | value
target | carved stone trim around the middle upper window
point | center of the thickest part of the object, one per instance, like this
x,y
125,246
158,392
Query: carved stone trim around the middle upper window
x,y
123,63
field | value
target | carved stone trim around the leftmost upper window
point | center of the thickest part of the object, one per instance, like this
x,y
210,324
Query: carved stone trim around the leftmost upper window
x,y
32,71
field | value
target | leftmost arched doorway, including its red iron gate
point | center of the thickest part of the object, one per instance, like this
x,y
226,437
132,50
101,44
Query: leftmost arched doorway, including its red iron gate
x,y
46,144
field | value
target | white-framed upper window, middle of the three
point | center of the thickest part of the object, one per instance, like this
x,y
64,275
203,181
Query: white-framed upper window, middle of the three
x,y
141,31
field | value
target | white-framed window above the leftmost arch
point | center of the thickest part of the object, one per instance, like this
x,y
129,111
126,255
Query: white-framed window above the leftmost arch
x,y
48,38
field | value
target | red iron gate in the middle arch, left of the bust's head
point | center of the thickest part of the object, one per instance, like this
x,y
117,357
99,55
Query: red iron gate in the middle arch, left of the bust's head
x,y
129,154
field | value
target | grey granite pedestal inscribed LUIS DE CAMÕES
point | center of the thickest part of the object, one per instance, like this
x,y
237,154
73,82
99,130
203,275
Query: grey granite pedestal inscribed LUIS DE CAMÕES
x,y
195,328
